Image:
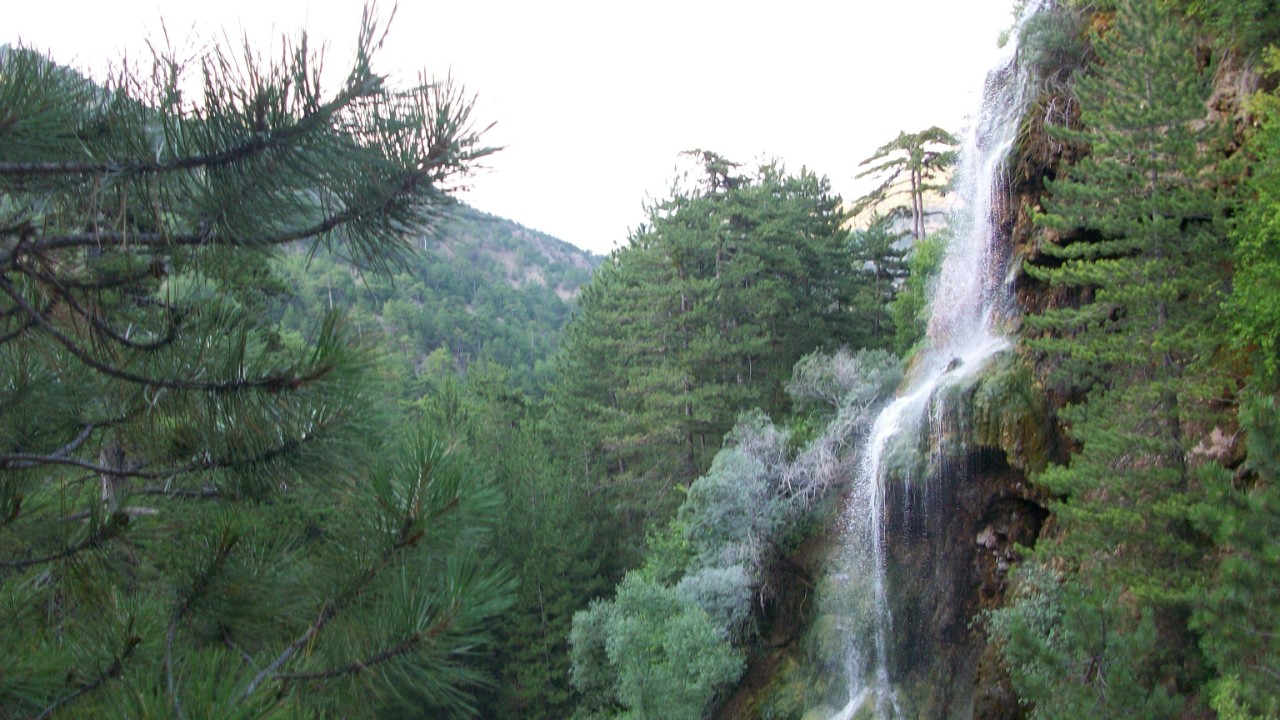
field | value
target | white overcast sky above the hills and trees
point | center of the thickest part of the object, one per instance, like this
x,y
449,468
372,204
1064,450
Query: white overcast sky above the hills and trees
x,y
595,102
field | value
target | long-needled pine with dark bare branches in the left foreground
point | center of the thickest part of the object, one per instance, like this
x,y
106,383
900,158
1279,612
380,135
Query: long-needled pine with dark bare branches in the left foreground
x,y
199,518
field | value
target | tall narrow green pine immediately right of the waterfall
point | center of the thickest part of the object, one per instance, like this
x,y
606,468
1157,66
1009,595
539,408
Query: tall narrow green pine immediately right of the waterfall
x,y
1148,261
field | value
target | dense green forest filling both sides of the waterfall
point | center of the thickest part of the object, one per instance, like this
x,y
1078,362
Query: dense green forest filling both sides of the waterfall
x,y
286,431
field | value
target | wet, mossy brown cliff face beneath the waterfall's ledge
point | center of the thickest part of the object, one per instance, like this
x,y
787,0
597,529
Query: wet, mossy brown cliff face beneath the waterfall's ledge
x,y
954,539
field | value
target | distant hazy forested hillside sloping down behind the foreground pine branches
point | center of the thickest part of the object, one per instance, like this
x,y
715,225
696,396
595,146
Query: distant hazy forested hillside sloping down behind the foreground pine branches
x,y
477,286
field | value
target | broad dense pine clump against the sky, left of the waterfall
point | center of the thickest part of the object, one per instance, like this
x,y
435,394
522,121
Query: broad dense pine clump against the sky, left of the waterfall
x,y
702,316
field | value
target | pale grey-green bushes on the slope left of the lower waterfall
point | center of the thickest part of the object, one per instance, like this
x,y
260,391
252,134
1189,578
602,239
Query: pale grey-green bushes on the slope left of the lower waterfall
x,y
720,557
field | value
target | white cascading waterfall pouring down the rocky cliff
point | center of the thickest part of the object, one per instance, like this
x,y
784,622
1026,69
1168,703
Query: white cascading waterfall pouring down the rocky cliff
x,y
968,302
